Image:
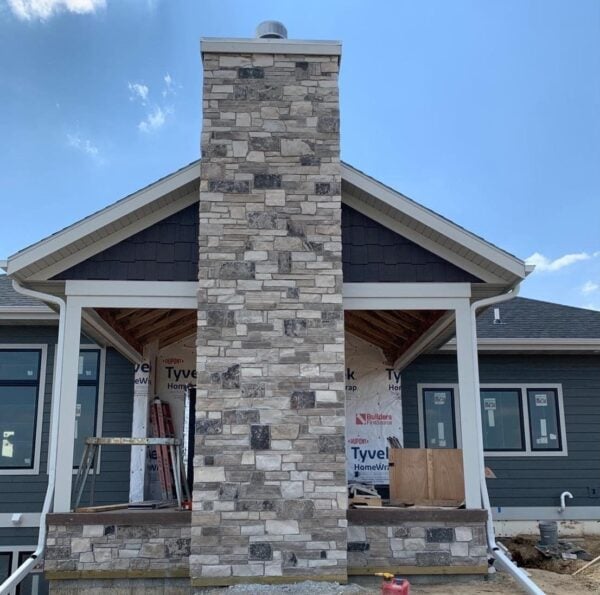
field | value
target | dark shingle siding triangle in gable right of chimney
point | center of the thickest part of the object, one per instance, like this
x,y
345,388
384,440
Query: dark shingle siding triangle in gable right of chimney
x,y
373,253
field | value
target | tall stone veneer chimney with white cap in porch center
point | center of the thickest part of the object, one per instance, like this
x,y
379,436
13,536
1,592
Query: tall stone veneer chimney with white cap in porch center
x,y
270,482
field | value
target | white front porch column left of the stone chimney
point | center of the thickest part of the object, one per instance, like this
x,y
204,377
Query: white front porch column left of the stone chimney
x,y
68,401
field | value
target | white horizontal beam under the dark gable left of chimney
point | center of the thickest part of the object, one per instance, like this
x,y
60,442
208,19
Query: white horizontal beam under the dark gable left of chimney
x,y
142,289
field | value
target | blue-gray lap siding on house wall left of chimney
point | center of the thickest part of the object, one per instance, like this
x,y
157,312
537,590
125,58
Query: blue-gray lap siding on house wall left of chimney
x,y
25,493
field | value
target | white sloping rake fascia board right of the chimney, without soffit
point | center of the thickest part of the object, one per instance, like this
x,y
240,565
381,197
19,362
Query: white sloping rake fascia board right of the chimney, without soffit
x,y
436,222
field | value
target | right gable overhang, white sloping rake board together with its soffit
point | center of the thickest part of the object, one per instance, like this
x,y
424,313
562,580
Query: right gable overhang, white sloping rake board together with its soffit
x,y
430,230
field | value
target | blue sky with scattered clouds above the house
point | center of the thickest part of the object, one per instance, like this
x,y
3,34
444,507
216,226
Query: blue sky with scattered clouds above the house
x,y
487,112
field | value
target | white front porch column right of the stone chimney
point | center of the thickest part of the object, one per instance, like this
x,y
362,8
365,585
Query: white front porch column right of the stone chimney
x,y
469,394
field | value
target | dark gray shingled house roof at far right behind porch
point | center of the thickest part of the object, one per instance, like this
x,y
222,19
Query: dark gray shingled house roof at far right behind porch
x,y
526,318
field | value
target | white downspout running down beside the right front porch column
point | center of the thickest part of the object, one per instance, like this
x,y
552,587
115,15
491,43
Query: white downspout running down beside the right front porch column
x,y
501,558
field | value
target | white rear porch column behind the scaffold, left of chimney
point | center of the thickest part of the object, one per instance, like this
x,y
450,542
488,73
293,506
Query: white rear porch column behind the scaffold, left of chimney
x,y
143,391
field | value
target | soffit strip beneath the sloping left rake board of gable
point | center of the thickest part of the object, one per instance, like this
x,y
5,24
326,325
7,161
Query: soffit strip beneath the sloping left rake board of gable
x,y
114,238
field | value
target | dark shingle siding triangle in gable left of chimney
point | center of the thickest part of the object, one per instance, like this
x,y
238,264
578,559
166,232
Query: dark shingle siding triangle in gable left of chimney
x,y
166,251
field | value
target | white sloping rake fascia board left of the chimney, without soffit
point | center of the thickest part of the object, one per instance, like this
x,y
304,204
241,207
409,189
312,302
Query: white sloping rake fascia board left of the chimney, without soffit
x,y
104,217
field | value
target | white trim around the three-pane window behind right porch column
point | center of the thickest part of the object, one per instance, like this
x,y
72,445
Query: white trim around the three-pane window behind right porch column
x,y
522,388
